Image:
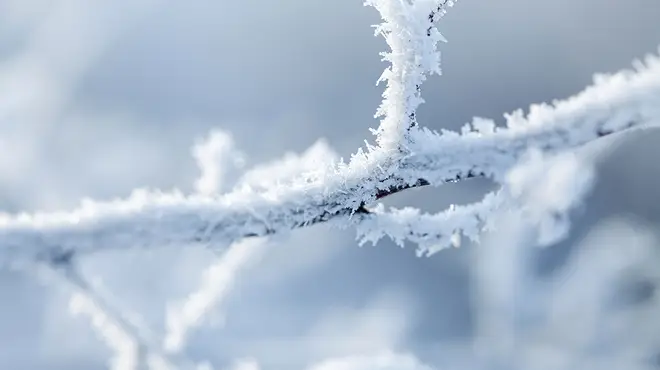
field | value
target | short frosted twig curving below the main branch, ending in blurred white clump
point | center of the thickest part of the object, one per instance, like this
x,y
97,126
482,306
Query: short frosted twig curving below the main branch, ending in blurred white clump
x,y
545,188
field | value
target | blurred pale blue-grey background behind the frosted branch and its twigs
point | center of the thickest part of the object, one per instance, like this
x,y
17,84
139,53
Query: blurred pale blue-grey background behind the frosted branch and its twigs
x,y
98,98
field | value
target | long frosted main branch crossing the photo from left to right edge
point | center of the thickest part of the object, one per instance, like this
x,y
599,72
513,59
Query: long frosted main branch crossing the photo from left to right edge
x,y
154,220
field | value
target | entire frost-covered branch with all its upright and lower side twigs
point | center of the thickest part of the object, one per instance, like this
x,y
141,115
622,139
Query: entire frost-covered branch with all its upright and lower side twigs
x,y
527,158
